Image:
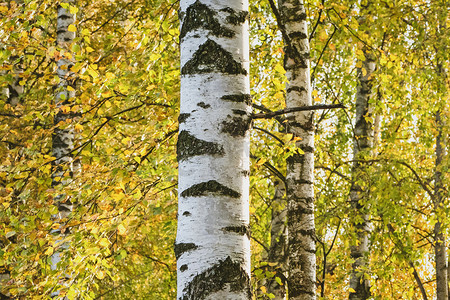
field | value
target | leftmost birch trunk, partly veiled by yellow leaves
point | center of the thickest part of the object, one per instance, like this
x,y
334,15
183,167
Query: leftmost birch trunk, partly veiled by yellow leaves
x,y
63,138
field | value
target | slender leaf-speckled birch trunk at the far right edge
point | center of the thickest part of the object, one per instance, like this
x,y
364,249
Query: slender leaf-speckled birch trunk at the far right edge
x,y
440,249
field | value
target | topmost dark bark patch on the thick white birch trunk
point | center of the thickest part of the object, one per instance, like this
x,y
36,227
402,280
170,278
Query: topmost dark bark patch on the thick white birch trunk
x,y
199,15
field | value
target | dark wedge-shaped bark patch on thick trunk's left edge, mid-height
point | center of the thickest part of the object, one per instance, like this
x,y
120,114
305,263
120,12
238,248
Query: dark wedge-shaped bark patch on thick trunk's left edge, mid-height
x,y
189,146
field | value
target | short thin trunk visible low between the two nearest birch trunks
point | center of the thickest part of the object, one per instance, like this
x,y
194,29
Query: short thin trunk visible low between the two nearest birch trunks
x,y
278,244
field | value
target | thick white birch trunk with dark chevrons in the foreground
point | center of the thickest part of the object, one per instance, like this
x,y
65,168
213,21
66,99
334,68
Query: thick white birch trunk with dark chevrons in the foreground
x,y
212,245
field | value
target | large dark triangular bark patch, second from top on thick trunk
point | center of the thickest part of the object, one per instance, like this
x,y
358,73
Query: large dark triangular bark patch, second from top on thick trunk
x,y
210,58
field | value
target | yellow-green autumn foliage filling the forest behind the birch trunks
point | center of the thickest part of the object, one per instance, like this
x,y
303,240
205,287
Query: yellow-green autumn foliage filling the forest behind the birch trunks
x,y
117,240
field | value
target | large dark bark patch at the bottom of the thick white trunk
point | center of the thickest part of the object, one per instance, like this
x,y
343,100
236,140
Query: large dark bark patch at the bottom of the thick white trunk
x,y
226,274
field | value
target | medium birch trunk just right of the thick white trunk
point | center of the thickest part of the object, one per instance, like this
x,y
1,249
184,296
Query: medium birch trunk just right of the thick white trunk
x,y
300,166
